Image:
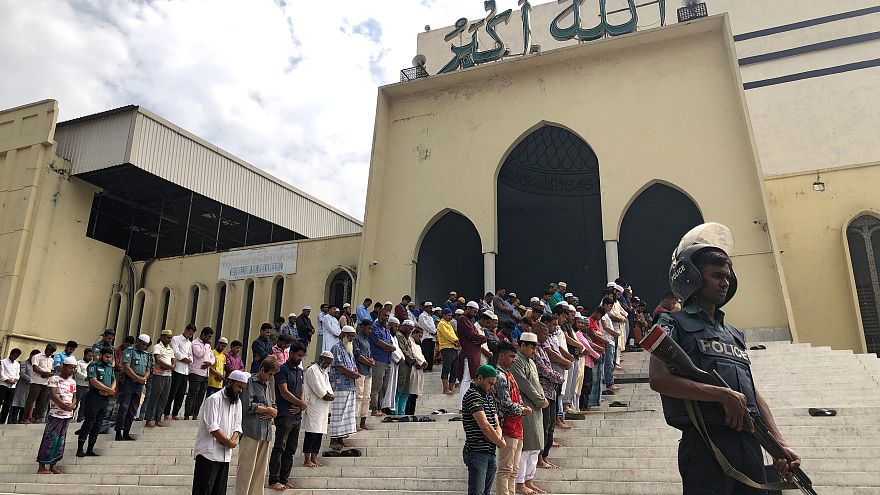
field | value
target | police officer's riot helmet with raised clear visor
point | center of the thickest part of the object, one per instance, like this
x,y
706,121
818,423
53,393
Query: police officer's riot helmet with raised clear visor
x,y
685,278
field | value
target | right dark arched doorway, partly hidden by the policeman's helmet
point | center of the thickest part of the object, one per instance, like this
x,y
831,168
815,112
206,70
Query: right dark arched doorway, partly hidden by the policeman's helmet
x,y
651,229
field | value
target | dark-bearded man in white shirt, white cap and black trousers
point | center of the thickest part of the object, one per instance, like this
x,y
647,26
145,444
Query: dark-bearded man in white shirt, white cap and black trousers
x,y
219,426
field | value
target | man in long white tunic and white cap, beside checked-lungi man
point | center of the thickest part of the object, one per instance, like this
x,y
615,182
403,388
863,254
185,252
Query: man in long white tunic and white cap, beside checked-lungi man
x,y
317,395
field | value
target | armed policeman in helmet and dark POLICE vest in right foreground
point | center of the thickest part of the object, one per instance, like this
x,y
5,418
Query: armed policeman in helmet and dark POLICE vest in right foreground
x,y
702,276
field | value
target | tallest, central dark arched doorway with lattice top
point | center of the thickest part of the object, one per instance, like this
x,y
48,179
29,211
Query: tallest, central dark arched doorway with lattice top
x,y
550,216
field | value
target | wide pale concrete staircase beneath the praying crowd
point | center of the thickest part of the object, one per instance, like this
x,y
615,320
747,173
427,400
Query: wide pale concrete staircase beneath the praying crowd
x,y
627,451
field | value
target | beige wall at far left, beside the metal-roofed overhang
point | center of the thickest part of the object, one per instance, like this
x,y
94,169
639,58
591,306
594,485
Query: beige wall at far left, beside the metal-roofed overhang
x,y
55,282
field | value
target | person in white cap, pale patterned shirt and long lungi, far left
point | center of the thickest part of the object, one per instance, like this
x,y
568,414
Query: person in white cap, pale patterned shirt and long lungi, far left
x,y
62,402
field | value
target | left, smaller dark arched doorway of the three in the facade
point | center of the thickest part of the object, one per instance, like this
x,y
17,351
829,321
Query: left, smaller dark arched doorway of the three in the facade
x,y
449,258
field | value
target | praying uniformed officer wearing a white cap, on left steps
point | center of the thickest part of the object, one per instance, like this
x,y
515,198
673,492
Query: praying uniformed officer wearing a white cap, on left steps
x,y
135,372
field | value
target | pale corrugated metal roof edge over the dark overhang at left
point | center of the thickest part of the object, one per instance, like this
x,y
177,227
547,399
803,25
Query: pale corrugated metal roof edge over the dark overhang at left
x,y
141,138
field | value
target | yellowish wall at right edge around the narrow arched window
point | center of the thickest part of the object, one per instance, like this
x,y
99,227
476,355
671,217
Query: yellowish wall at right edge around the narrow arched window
x,y
811,228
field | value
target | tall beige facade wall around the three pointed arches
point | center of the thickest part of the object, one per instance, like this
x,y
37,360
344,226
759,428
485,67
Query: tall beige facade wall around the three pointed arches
x,y
633,100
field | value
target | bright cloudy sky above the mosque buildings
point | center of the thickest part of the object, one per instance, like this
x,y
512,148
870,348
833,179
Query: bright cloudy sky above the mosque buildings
x,y
289,86
